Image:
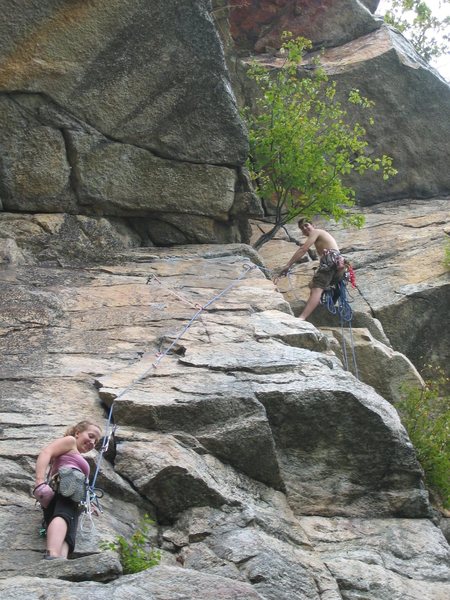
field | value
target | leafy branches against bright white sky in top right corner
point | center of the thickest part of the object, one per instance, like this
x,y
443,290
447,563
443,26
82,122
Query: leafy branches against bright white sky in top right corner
x,y
429,33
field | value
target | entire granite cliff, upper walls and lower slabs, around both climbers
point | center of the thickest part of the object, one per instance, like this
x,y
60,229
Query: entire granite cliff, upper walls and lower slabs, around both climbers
x,y
271,470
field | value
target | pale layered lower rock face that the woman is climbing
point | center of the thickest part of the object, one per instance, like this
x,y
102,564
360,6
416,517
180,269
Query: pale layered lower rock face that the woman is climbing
x,y
247,441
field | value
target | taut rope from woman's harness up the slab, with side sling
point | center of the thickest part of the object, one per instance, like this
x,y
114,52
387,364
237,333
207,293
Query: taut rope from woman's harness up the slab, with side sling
x,y
91,502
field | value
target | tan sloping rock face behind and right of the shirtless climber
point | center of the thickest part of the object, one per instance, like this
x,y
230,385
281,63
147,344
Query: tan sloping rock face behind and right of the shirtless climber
x,y
400,275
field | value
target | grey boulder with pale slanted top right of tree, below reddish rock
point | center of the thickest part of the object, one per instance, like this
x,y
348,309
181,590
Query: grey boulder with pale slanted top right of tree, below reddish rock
x,y
411,119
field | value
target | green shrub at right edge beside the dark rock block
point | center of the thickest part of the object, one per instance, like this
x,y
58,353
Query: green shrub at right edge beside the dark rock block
x,y
425,413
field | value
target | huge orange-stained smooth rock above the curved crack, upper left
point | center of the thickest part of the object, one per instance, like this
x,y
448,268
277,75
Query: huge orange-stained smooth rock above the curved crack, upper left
x,y
149,75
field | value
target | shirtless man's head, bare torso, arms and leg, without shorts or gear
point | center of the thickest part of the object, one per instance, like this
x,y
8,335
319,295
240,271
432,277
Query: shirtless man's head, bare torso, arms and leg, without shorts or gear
x,y
331,263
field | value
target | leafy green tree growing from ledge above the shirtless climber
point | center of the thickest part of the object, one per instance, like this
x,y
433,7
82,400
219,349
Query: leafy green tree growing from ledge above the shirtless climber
x,y
302,141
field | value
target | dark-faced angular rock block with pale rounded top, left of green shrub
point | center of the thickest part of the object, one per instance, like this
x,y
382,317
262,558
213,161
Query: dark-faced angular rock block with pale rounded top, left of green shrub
x,y
362,474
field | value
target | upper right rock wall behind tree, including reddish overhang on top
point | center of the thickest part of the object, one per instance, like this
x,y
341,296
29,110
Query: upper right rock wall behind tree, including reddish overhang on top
x,y
411,117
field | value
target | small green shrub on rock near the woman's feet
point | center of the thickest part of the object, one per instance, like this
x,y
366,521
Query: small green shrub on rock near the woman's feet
x,y
135,554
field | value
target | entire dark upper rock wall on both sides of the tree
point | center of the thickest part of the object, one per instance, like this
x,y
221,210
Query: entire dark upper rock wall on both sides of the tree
x,y
126,112
